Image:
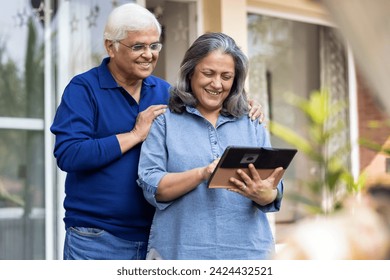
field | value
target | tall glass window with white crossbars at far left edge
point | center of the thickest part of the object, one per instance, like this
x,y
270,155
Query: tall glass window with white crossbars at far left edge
x,y
22,186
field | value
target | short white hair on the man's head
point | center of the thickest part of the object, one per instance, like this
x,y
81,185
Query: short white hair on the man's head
x,y
129,17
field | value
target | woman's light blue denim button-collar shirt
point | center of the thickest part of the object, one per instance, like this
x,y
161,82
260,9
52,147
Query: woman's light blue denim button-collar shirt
x,y
204,223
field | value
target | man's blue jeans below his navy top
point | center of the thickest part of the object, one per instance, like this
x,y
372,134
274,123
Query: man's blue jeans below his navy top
x,y
83,243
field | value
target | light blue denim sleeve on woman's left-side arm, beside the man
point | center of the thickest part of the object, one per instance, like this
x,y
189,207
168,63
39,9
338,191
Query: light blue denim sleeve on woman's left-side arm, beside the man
x,y
153,162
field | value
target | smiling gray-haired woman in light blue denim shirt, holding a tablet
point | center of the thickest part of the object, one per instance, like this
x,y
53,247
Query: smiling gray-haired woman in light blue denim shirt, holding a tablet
x,y
207,112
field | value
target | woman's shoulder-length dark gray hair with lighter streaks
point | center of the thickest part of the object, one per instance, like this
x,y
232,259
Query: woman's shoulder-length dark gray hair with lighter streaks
x,y
236,104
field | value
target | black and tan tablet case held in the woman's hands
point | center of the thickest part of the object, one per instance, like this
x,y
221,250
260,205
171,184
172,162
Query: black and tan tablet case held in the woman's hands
x,y
264,159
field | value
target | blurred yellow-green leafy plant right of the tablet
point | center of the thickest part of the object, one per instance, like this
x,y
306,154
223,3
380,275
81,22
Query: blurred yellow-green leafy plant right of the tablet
x,y
326,191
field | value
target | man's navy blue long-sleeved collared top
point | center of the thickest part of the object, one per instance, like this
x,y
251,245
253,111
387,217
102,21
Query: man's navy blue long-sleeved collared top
x,y
101,188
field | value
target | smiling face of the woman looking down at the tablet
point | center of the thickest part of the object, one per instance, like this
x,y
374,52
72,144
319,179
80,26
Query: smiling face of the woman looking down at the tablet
x,y
212,80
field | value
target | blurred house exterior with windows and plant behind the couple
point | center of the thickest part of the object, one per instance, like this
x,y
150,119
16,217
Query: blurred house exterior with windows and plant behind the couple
x,y
319,69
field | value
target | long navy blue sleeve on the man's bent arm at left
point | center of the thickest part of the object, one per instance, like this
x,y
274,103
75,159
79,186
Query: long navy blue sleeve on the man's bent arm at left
x,y
76,148
